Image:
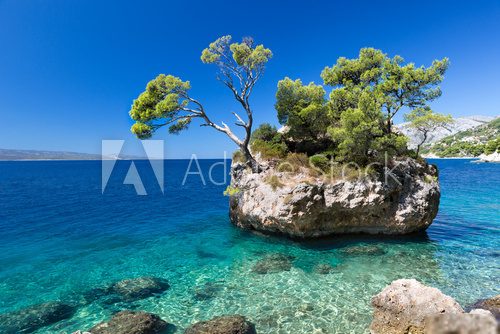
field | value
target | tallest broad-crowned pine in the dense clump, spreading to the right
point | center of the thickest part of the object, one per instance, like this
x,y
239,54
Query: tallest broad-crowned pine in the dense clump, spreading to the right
x,y
393,84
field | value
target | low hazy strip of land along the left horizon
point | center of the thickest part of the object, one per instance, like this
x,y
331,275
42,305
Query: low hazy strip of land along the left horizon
x,y
10,154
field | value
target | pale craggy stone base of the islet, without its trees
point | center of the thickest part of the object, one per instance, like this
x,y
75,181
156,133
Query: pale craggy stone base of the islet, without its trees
x,y
401,201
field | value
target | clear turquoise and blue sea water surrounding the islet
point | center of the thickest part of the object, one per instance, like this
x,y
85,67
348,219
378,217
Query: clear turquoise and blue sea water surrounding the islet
x,y
60,237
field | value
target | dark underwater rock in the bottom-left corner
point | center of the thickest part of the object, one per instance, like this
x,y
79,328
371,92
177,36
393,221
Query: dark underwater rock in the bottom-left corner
x,y
34,317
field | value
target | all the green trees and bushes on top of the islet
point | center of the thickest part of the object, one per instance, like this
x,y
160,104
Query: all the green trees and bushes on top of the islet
x,y
352,123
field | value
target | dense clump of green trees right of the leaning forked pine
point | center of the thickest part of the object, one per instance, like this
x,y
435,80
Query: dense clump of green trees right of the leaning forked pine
x,y
356,120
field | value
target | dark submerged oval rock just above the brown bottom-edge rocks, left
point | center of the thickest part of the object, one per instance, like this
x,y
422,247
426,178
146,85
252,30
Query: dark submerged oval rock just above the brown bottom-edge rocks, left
x,y
139,288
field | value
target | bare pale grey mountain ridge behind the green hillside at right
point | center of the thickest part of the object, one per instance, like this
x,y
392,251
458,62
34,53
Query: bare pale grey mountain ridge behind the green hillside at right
x,y
459,124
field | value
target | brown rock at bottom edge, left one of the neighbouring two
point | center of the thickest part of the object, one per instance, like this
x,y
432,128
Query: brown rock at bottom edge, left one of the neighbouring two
x,y
130,322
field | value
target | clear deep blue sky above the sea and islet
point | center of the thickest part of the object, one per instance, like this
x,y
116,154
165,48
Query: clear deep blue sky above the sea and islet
x,y
69,69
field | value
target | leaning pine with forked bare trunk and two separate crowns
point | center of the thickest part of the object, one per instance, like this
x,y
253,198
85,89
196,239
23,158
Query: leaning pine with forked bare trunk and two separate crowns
x,y
166,100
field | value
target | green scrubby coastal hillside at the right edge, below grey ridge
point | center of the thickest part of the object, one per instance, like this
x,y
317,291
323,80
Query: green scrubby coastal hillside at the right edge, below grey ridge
x,y
483,139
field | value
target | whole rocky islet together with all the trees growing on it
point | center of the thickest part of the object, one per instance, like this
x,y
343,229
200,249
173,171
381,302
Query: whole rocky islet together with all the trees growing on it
x,y
337,165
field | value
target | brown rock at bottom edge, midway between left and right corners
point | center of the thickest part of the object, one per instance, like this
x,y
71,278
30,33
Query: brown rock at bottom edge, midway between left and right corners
x,y
227,324
